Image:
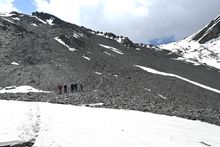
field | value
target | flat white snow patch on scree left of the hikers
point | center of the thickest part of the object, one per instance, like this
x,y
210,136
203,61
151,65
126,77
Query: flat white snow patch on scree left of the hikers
x,y
21,89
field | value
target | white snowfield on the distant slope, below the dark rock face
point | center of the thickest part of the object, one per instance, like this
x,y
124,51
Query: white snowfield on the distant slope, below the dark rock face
x,y
196,53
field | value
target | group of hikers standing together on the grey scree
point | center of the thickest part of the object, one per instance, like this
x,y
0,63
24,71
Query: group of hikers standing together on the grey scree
x,y
73,88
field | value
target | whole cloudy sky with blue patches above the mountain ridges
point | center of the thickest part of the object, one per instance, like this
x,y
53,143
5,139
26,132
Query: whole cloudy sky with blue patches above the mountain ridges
x,y
143,21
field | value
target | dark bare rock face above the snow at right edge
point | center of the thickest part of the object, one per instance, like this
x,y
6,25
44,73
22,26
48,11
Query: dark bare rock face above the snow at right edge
x,y
211,31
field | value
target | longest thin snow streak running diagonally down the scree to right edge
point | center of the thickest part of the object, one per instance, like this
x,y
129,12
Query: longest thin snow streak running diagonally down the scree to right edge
x,y
150,70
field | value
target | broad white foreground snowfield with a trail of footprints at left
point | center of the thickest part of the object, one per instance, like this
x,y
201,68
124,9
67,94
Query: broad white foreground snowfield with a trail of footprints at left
x,y
65,125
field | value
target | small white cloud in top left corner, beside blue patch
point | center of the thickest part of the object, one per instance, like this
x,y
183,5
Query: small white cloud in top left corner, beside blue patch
x,y
7,6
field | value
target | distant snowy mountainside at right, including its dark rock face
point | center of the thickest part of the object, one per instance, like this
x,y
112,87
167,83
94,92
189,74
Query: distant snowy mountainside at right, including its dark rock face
x,y
202,47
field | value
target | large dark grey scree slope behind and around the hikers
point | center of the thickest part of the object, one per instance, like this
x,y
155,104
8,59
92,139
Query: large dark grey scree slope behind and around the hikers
x,y
42,51
